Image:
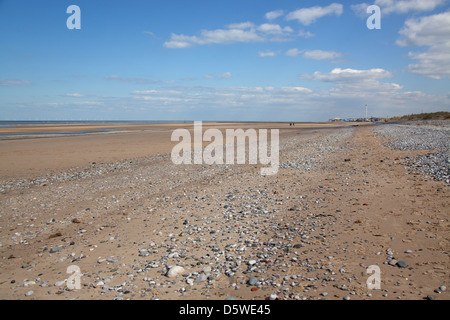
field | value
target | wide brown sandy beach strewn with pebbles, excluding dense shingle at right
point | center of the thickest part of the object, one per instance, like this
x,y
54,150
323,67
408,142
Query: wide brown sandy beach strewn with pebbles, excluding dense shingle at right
x,y
113,204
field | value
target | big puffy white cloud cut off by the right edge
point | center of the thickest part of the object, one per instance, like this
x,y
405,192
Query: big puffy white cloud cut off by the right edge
x,y
431,31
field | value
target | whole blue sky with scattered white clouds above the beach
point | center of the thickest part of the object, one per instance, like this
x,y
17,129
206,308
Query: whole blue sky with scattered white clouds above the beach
x,y
222,60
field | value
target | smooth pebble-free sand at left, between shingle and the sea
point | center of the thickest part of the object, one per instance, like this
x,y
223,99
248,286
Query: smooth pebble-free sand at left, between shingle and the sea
x,y
30,155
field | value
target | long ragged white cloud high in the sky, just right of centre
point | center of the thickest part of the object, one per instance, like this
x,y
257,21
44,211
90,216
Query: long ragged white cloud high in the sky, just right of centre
x,y
245,32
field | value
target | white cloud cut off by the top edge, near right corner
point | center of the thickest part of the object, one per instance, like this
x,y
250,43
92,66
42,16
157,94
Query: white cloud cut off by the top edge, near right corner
x,y
396,6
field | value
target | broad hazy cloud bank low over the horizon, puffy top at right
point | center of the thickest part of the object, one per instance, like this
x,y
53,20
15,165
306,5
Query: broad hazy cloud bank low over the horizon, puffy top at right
x,y
351,90
